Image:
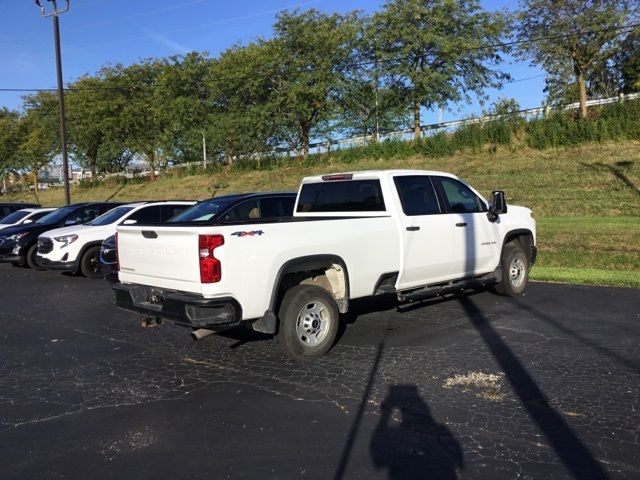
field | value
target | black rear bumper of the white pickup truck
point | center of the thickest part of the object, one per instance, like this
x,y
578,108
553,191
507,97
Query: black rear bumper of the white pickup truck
x,y
183,308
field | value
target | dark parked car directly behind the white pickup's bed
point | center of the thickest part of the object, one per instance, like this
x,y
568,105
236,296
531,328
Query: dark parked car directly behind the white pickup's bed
x,y
225,208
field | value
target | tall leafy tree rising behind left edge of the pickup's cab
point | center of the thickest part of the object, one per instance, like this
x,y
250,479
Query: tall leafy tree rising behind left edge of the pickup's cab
x,y
311,52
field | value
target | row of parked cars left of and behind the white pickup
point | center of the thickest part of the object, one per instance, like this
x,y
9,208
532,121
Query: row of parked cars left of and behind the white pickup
x,y
80,238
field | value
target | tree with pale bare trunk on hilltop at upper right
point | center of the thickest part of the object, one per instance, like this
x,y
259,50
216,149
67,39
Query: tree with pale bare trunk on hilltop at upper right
x,y
572,38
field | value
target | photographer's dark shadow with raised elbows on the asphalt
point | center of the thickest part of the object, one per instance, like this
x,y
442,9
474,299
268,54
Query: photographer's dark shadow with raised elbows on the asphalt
x,y
417,447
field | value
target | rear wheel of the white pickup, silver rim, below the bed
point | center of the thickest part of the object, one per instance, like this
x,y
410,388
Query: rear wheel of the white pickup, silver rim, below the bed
x,y
309,321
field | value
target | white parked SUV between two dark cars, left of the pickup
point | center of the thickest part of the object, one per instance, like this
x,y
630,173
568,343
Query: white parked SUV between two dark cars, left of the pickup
x,y
77,248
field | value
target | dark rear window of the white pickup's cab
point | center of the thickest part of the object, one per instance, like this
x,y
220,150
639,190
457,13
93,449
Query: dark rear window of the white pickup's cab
x,y
341,196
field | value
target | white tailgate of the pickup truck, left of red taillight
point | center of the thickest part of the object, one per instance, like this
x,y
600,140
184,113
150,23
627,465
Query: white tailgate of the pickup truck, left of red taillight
x,y
159,252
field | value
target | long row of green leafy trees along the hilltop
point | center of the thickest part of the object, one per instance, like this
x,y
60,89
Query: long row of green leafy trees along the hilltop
x,y
321,76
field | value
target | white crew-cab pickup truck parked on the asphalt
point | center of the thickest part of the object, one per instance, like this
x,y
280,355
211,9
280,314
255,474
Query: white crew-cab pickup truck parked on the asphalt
x,y
413,233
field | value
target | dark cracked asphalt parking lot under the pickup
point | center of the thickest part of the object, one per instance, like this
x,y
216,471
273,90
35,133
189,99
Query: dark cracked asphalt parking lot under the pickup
x,y
479,386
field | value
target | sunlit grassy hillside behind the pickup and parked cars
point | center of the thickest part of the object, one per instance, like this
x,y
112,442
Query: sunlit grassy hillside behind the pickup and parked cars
x,y
586,199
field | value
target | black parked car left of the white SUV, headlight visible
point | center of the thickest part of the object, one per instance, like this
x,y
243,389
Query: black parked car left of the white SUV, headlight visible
x,y
18,245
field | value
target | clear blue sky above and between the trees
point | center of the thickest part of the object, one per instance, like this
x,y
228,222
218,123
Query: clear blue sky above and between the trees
x,y
100,32
